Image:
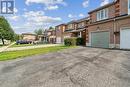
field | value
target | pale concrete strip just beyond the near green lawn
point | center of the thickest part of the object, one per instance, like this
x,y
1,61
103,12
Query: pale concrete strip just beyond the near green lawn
x,y
31,47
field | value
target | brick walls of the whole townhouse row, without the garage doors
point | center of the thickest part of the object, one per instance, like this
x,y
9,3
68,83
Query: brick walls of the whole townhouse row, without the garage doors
x,y
117,19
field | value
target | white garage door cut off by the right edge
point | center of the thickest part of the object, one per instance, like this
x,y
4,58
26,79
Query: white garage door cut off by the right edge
x,y
125,39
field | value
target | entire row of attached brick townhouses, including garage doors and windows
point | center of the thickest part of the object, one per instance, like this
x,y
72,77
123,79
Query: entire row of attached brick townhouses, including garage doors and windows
x,y
106,27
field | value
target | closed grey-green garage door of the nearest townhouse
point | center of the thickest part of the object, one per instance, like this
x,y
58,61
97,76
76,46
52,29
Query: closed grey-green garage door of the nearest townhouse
x,y
100,39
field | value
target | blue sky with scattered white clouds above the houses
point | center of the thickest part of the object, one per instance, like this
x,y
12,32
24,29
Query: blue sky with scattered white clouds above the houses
x,y
41,14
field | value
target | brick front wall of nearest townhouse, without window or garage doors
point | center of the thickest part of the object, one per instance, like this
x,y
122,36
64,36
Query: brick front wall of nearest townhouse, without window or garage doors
x,y
118,18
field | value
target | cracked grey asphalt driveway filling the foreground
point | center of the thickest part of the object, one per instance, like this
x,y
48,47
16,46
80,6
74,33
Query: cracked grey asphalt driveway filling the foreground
x,y
78,67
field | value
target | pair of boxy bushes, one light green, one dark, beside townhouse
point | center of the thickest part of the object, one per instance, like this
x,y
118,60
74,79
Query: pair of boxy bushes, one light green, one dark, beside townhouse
x,y
73,41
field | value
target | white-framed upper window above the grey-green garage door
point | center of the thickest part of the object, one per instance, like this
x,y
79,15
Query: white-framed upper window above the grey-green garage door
x,y
102,14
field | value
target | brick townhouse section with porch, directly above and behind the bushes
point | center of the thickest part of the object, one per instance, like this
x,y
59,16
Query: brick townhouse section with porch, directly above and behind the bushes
x,y
78,28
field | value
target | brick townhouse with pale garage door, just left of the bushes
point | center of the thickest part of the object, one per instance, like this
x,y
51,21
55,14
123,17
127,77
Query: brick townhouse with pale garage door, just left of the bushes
x,y
61,34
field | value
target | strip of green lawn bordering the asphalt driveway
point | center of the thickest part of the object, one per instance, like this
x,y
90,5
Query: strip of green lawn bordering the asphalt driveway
x,y
23,53
